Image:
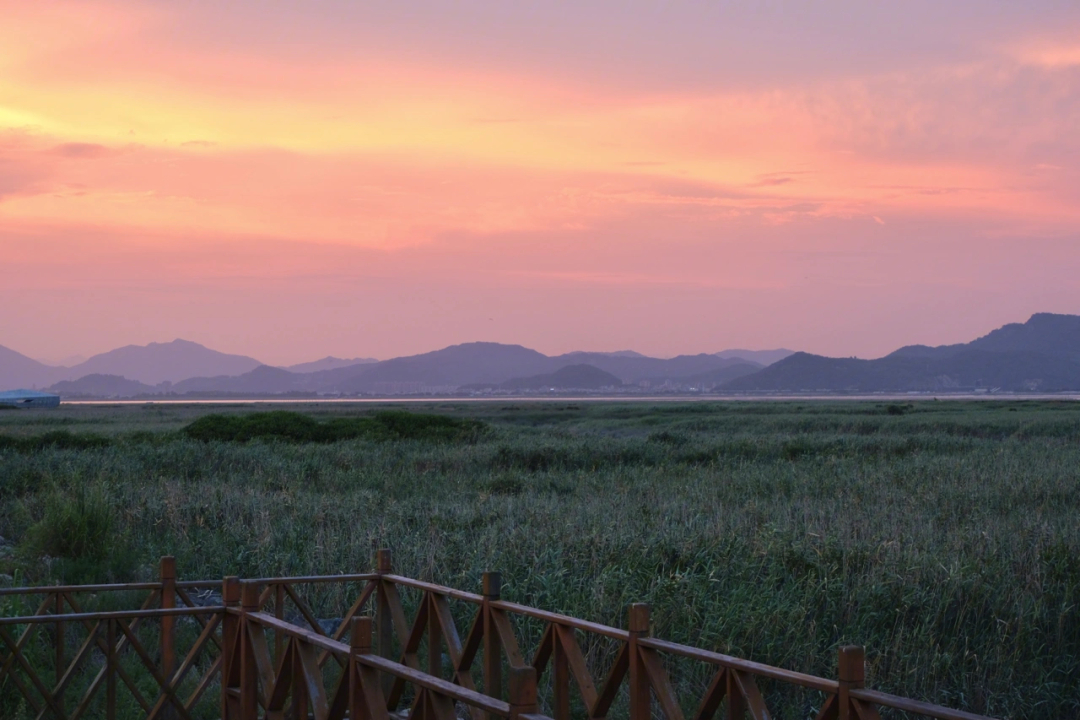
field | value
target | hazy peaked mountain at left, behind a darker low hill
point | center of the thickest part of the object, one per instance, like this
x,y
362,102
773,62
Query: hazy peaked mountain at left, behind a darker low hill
x,y
164,362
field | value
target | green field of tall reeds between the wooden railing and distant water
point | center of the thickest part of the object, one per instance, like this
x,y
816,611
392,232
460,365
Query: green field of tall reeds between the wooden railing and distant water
x,y
943,536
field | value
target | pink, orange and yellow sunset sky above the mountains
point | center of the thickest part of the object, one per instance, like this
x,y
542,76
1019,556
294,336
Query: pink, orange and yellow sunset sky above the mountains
x,y
291,181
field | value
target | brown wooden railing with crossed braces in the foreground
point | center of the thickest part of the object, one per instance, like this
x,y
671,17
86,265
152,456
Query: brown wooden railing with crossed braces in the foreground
x,y
263,647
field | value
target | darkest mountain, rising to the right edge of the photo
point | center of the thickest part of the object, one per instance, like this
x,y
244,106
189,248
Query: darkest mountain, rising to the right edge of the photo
x,y
1042,355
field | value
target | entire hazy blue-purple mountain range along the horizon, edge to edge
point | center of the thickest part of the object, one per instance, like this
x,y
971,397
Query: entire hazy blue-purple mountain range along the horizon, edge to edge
x,y
1039,356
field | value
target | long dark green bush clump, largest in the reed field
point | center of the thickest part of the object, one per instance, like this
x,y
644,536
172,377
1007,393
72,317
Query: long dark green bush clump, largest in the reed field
x,y
298,428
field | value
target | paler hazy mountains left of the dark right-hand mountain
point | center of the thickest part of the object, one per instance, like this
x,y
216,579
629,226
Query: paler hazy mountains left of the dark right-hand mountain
x,y
181,369
